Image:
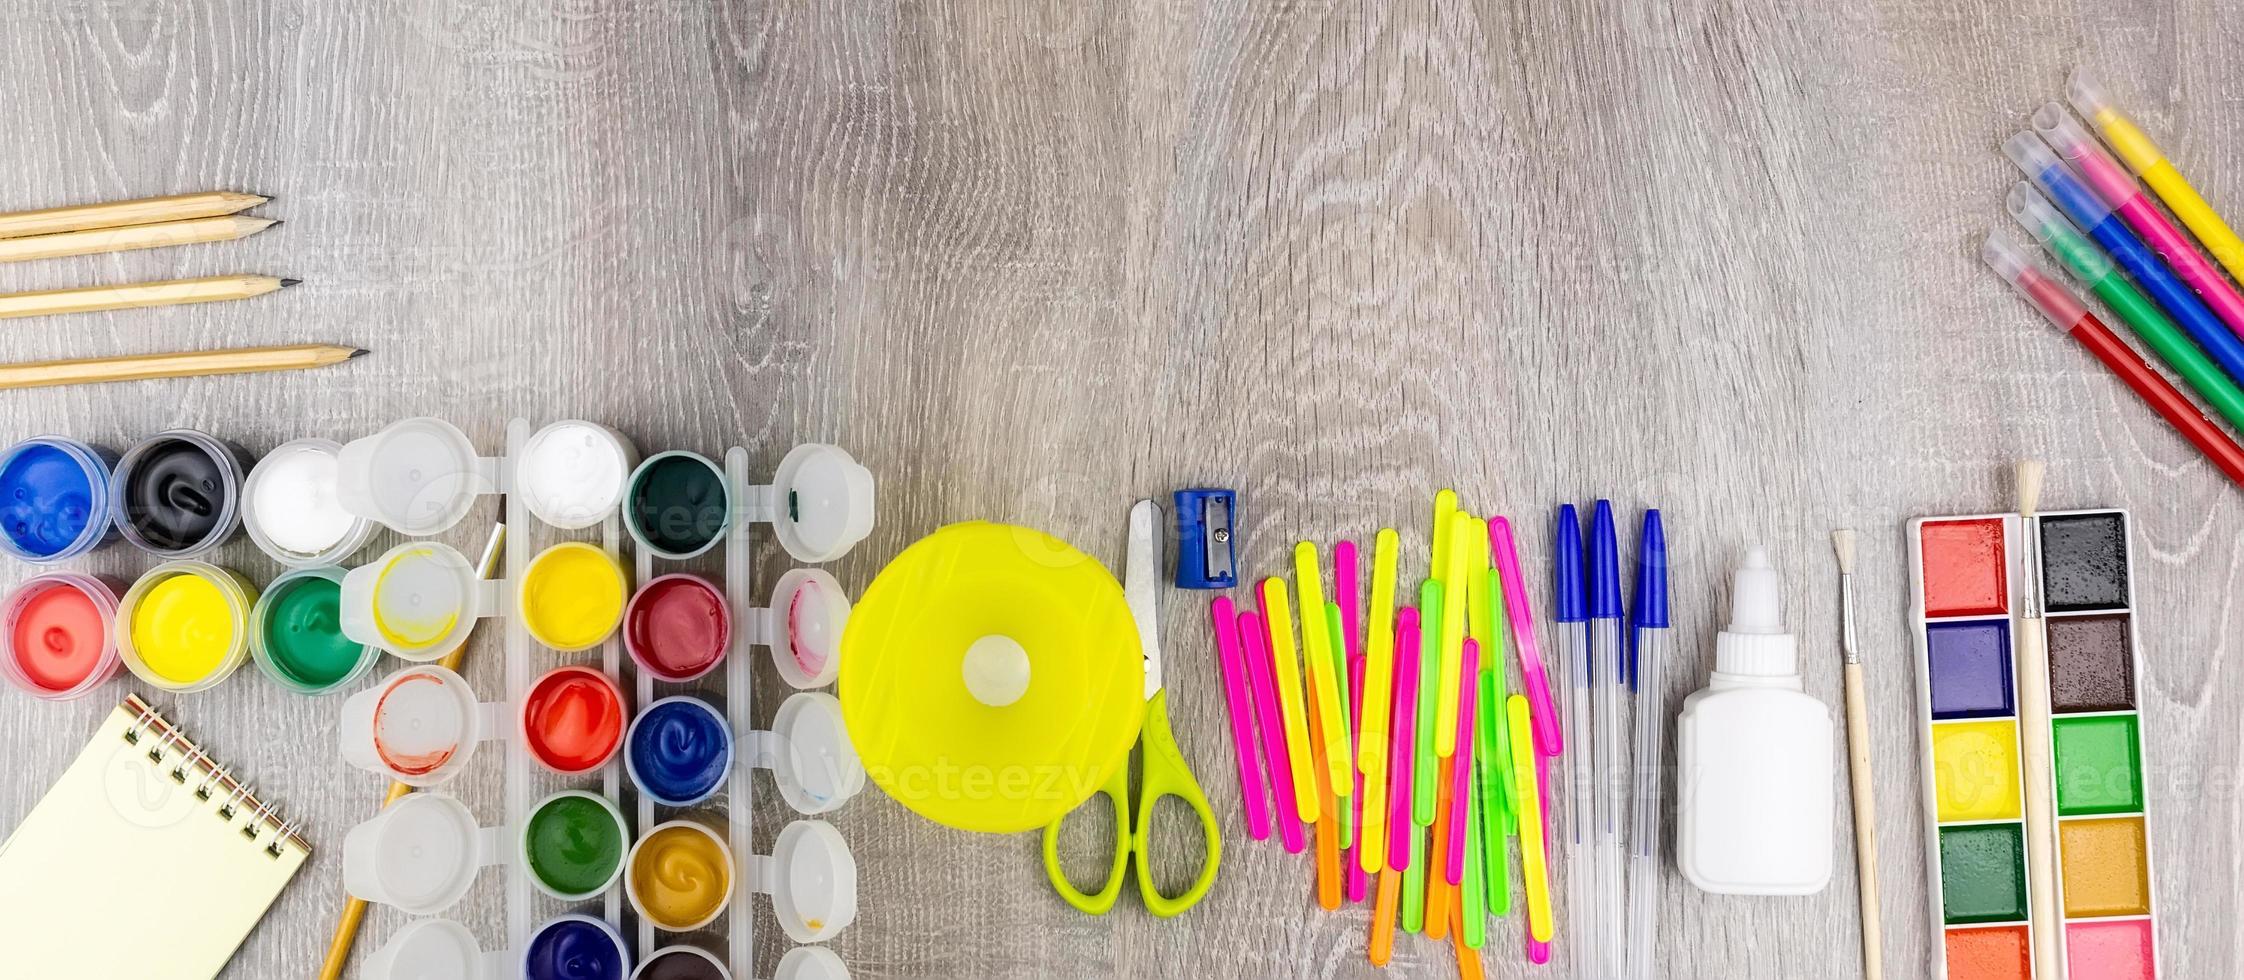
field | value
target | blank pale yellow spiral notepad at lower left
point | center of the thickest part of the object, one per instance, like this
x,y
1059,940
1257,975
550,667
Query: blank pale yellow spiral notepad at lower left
x,y
147,860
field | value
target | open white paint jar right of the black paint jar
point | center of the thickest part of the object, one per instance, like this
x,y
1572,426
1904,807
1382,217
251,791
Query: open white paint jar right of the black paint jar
x,y
293,506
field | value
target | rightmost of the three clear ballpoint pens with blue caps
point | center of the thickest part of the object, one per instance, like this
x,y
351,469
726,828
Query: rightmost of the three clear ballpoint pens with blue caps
x,y
1650,642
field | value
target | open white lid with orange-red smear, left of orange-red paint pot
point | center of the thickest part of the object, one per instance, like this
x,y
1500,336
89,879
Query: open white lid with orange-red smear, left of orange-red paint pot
x,y
419,728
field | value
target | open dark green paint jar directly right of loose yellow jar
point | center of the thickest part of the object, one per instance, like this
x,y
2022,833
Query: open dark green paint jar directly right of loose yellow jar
x,y
297,634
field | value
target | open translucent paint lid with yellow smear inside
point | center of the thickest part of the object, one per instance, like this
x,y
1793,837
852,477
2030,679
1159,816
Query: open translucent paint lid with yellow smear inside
x,y
419,600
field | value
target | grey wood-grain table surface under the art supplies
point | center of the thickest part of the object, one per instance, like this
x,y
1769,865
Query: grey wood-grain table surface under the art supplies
x,y
1036,261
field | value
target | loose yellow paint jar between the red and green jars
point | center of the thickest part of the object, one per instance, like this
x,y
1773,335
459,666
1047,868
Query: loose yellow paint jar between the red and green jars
x,y
185,625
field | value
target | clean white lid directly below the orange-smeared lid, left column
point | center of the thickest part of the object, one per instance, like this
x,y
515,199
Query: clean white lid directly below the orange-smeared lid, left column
x,y
419,856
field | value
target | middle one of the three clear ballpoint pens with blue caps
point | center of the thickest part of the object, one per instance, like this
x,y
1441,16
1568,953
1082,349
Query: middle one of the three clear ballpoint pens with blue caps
x,y
1608,678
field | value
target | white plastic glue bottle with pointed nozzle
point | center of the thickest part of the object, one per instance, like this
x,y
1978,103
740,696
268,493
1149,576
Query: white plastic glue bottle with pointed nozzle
x,y
1756,770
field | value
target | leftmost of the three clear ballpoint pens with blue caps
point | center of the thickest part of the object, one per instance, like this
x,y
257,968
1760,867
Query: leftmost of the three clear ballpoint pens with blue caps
x,y
1570,618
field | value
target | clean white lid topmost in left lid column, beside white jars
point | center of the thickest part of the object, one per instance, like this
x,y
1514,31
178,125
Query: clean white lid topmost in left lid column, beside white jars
x,y
416,477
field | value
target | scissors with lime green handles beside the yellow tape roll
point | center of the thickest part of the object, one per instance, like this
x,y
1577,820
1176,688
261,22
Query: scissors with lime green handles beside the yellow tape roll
x,y
1166,773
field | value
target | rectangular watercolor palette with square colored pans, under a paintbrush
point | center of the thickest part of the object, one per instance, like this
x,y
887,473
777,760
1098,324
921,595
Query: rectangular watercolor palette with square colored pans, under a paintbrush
x,y
1971,584
